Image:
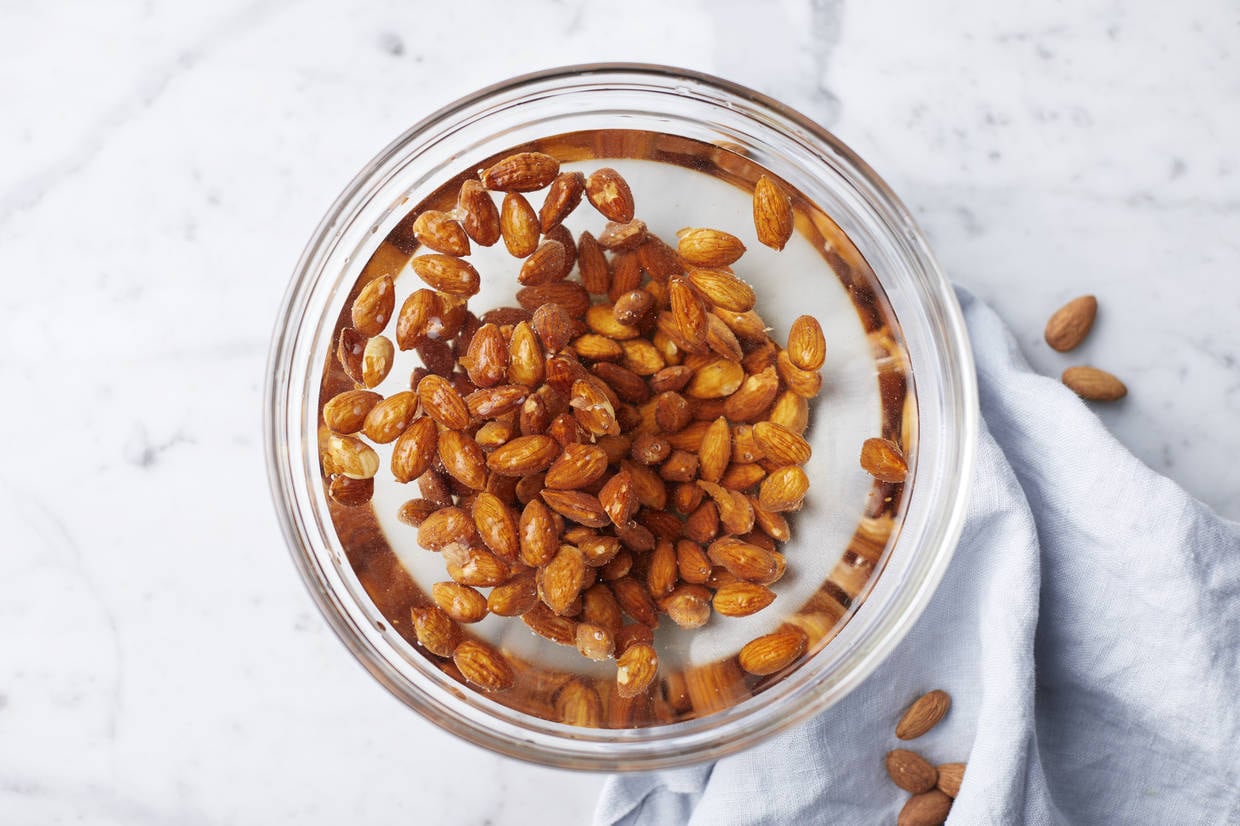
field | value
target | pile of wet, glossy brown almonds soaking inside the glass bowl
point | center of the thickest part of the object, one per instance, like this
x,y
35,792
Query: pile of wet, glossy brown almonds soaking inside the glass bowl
x,y
618,447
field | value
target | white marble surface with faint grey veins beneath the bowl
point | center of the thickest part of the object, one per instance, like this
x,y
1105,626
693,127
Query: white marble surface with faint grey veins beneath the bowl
x,y
162,166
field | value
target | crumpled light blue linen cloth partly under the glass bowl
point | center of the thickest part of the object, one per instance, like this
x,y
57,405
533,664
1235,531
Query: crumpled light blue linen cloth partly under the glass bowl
x,y
1088,631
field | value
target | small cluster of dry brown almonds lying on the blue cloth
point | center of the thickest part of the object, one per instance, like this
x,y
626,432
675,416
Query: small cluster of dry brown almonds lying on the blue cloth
x,y
933,788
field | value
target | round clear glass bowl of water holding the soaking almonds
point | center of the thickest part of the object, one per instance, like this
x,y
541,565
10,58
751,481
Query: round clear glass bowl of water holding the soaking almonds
x,y
905,371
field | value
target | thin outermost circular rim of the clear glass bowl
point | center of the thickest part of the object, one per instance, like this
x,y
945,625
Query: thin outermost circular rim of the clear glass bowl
x,y
329,601
